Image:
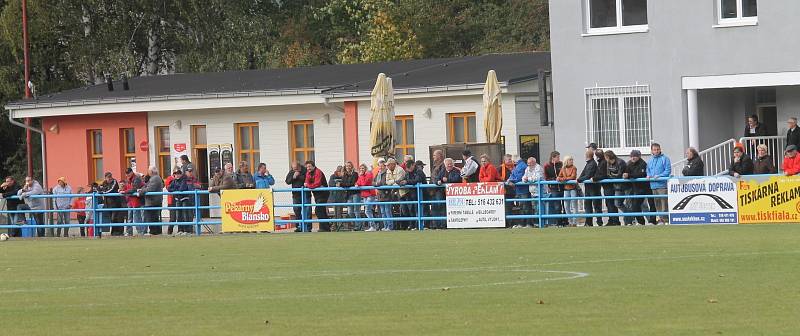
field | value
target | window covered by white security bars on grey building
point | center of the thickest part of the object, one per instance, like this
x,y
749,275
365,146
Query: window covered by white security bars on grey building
x,y
619,117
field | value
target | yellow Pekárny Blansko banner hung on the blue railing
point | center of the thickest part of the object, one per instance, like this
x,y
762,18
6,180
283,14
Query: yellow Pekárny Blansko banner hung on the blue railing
x,y
246,210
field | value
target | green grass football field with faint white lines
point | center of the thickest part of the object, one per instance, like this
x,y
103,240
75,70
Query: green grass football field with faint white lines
x,y
701,280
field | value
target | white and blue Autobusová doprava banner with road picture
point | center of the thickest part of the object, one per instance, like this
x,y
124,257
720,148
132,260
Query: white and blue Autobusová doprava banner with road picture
x,y
706,200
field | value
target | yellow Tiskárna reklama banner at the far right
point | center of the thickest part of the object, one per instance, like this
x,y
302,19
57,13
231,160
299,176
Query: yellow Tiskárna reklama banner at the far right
x,y
769,199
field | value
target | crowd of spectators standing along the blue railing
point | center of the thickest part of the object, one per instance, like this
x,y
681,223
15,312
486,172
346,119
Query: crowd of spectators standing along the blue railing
x,y
384,196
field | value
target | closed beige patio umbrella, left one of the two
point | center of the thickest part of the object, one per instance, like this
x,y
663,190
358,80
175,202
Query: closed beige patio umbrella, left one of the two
x,y
382,118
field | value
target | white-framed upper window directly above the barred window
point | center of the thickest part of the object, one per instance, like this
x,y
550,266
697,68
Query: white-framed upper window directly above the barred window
x,y
616,16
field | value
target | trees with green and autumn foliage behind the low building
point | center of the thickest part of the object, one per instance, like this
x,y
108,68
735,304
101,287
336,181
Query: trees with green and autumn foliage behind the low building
x,y
78,42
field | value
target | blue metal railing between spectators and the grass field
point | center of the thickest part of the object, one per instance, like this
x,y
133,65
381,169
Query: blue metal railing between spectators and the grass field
x,y
428,207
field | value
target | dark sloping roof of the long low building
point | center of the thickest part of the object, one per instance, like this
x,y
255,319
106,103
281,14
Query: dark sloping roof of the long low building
x,y
510,67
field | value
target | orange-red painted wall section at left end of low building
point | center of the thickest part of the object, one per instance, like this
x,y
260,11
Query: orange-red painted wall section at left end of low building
x,y
68,150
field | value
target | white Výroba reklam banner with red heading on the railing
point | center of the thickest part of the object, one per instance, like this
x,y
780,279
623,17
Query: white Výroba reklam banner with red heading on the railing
x,y
476,205
